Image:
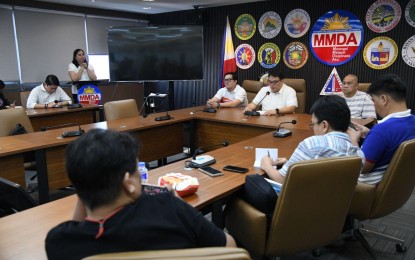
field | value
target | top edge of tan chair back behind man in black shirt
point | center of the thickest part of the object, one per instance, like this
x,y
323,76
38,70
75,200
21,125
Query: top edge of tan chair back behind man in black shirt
x,y
207,253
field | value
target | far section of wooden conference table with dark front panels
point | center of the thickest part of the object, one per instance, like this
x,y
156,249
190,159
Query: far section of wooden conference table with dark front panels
x,y
188,127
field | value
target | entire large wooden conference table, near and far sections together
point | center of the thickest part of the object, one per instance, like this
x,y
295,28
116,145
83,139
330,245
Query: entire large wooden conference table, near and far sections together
x,y
22,234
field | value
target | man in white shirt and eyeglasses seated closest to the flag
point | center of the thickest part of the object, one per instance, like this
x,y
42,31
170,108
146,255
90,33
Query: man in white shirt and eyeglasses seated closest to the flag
x,y
232,95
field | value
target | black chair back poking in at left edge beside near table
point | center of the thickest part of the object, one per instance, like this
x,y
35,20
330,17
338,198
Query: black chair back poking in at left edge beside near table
x,y
13,198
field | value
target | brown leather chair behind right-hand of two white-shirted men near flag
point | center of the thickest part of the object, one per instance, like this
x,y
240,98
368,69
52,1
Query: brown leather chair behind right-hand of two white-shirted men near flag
x,y
299,85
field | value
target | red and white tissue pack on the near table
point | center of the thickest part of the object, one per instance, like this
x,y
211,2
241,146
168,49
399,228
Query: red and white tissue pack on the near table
x,y
183,184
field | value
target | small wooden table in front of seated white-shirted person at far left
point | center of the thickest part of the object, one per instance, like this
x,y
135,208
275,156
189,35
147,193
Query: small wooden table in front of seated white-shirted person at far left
x,y
54,117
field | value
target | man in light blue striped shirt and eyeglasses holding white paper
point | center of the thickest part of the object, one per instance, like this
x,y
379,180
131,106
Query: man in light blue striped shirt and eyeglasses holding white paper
x,y
329,121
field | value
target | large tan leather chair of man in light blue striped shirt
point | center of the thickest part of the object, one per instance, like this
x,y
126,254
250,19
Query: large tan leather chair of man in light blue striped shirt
x,y
310,211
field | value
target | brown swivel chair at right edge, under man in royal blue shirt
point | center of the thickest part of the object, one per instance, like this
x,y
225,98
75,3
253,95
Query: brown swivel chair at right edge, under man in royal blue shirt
x,y
376,201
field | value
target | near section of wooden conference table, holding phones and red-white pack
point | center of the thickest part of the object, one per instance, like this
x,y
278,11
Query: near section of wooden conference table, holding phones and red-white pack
x,y
22,234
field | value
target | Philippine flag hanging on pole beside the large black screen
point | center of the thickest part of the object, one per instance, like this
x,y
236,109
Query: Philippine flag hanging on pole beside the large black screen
x,y
228,53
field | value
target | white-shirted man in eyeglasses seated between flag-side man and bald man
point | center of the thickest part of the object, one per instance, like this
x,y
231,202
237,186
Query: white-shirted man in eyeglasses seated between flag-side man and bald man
x,y
277,98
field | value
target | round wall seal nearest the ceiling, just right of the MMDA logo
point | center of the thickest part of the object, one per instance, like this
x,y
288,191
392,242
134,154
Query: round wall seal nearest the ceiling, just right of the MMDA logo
x,y
383,15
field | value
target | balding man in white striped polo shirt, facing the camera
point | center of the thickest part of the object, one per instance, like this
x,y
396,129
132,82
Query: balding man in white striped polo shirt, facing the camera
x,y
360,103
